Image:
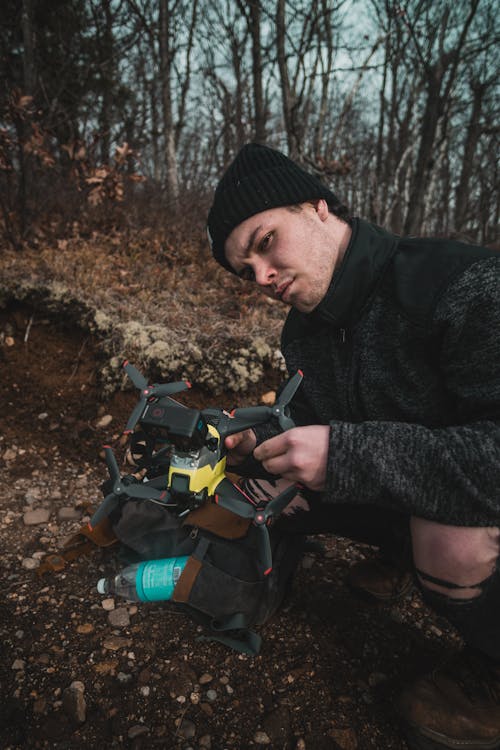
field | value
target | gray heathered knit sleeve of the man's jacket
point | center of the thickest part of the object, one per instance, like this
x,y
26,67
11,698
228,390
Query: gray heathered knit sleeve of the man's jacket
x,y
451,474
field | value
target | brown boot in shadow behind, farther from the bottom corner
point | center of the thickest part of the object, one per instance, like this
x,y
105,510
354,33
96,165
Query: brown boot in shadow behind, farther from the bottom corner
x,y
379,579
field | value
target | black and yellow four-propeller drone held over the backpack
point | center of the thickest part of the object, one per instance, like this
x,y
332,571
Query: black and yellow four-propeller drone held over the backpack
x,y
181,452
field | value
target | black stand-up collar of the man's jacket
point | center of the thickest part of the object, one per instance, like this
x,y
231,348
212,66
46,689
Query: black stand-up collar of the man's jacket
x,y
368,252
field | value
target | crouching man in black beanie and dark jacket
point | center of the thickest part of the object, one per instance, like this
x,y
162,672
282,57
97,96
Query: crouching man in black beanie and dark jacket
x,y
398,413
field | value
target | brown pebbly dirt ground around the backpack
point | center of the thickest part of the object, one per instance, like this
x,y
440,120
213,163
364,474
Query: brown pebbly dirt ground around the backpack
x,y
330,667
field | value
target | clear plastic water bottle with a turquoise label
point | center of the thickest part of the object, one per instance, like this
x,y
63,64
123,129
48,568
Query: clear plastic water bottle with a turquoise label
x,y
149,581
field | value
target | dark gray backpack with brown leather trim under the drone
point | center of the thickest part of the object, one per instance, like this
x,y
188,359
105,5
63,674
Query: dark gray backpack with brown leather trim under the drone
x,y
223,586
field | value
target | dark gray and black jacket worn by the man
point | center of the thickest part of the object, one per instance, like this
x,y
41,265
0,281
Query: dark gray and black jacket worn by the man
x,y
402,360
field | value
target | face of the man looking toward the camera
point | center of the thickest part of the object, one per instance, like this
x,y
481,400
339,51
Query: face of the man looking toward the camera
x,y
290,253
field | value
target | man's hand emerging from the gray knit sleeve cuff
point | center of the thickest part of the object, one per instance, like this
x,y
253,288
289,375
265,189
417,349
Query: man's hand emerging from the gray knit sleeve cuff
x,y
299,454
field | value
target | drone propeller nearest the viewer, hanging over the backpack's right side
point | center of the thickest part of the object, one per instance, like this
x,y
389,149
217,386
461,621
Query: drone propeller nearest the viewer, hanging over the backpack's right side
x,y
232,497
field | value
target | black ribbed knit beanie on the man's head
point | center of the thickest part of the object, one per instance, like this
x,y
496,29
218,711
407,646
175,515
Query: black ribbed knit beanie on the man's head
x,y
258,179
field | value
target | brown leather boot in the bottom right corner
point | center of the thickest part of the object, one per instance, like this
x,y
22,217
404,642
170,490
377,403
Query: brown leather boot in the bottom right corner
x,y
457,706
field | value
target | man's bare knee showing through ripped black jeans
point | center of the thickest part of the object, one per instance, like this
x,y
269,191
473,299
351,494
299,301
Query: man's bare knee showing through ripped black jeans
x,y
453,560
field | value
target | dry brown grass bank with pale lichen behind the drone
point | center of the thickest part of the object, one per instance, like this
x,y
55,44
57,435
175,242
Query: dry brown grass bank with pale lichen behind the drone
x,y
158,298
